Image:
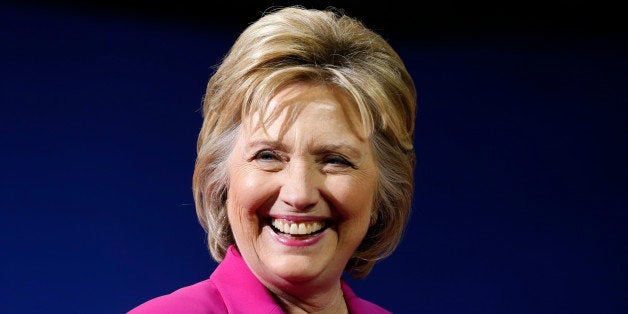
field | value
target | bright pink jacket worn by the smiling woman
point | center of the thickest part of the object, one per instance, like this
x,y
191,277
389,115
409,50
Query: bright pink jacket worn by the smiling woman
x,y
232,288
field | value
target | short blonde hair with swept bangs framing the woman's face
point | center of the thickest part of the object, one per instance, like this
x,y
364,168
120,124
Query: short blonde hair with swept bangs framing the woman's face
x,y
294,44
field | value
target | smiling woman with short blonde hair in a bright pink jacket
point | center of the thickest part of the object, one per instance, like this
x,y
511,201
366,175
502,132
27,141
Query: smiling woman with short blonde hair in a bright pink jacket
x,y
305,167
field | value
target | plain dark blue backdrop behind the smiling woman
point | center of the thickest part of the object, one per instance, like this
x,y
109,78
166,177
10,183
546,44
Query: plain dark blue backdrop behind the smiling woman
x,y
520,203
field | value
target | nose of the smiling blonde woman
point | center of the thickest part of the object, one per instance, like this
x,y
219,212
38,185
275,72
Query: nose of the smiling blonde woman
x,y
300,188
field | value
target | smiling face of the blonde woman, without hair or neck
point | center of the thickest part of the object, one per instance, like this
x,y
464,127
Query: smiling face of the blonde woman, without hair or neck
x,y
301,193
